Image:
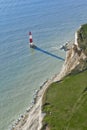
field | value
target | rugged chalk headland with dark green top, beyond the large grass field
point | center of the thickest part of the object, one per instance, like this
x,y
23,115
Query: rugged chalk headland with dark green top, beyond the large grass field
x,y
76,55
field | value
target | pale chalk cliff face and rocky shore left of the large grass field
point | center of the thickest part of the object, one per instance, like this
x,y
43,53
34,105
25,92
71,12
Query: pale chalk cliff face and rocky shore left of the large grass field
x,y
32,120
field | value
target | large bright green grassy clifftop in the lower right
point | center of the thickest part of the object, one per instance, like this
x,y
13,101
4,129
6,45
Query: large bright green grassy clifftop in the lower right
x,y
65,104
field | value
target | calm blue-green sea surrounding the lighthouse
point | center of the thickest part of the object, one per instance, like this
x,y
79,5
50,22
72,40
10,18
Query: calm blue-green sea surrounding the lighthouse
x,y
23,69
